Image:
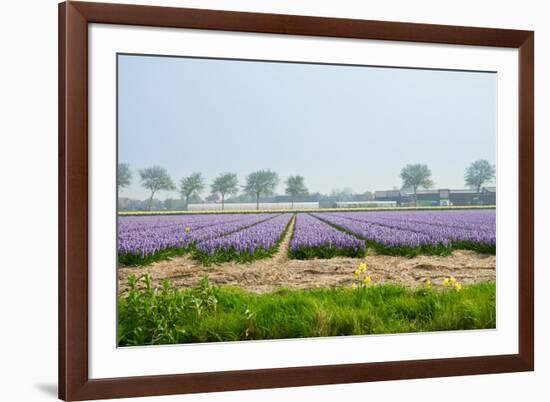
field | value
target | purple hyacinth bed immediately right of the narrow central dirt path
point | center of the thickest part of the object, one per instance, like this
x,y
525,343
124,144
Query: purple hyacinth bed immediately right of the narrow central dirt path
x,y
311,233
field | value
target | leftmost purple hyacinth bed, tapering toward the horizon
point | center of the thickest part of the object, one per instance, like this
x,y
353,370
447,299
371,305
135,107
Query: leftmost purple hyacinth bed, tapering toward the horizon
x,y
146,236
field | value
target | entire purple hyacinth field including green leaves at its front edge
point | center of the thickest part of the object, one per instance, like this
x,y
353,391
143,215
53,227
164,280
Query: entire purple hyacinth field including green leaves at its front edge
x,y
245,237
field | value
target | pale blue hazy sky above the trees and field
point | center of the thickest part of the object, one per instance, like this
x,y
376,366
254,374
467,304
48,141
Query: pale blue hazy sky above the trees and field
x,y
338,126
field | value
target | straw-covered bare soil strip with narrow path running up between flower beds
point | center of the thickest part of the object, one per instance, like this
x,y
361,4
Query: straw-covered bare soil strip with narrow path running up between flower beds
x,y
279,271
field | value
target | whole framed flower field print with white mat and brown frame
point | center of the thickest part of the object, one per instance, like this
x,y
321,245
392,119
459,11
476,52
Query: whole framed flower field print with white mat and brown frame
x,y
259,200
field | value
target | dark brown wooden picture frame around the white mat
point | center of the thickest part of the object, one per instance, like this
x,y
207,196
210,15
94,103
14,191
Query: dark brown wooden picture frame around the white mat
x,y
74,17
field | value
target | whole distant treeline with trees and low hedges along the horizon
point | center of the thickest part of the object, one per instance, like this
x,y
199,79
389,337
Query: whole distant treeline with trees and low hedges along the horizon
x,y
261,186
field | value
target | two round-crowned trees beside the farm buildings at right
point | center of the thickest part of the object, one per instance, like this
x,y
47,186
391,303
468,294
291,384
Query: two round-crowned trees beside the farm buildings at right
x,y
418,175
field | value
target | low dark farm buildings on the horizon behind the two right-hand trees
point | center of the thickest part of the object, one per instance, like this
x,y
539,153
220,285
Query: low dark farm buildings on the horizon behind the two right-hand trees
x,y
456,197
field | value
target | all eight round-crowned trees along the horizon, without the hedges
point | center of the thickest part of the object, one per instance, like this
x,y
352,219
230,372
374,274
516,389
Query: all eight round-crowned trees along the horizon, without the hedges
x,y
263,182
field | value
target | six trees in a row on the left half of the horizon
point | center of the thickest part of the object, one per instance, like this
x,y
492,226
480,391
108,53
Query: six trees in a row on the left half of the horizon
x,y
259,183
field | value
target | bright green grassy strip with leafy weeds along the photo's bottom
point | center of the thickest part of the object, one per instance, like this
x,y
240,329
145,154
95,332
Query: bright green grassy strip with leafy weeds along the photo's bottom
x,y
149,316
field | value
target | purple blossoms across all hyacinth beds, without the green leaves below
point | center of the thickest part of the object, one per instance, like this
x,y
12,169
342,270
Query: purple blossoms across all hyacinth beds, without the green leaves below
x,y
145,236
